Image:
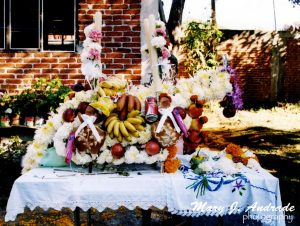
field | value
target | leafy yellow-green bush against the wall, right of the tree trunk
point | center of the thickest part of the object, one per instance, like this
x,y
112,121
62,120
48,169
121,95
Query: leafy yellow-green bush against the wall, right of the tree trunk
x,y
199,44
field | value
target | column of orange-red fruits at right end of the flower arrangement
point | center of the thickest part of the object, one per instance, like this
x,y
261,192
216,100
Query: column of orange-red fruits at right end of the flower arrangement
x,y
195,135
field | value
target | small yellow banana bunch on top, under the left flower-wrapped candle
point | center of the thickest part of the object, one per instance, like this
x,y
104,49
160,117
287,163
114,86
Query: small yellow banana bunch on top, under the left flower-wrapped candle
x,y
112,87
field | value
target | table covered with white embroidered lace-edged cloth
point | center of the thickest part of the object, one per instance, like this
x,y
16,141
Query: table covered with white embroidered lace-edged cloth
x,y
42,187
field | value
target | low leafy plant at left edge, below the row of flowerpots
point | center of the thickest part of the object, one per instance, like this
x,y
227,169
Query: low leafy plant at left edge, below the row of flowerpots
x,y
12,149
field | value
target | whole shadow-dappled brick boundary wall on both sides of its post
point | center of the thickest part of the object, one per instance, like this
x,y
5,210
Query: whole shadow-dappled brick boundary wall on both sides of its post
x,y
250,53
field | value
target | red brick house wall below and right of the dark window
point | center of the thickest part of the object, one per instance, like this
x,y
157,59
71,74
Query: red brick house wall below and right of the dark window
x,y
120,54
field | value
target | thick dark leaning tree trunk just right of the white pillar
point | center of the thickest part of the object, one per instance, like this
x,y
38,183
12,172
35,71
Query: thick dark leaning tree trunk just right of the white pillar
x,y
175,18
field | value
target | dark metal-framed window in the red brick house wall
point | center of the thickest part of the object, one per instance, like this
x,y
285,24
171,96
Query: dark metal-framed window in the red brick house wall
x,y
47,25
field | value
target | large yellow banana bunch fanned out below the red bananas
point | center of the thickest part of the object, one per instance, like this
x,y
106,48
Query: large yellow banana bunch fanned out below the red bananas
x,y
127,128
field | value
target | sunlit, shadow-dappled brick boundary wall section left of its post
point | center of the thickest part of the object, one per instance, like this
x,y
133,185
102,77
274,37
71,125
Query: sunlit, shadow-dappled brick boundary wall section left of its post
x,y
250,54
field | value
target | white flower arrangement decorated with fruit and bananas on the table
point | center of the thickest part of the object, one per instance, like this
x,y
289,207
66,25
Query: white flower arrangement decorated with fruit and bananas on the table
x,y
117,125
